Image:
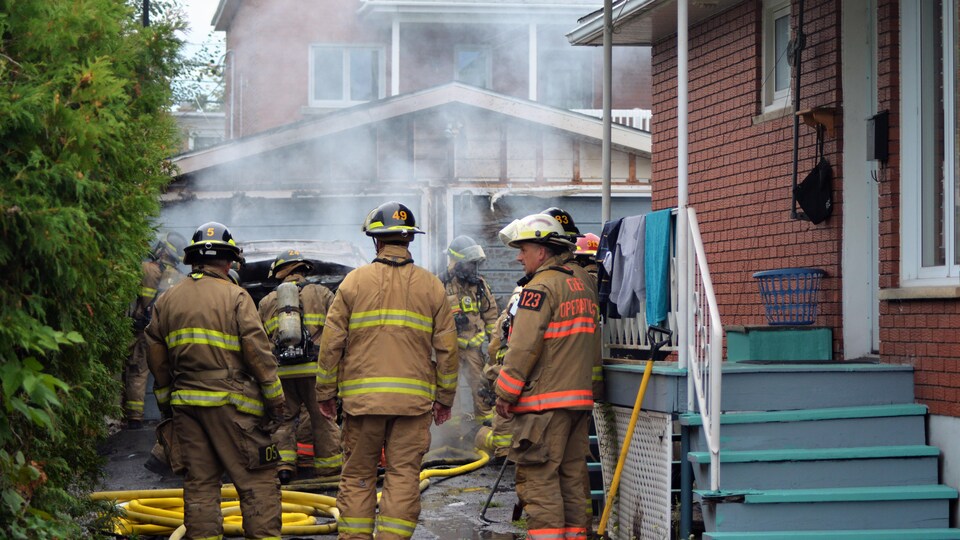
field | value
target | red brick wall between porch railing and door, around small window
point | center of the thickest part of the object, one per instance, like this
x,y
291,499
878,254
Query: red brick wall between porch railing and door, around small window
x,y
740,173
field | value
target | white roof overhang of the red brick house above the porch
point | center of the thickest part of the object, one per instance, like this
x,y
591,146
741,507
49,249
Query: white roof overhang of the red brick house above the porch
x,y
644,22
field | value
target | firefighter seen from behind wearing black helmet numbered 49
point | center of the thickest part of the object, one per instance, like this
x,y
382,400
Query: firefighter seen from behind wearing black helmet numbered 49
x,y
390,345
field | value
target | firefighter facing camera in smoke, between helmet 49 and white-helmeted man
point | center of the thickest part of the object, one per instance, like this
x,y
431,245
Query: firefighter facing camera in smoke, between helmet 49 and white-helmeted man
x,y
475,314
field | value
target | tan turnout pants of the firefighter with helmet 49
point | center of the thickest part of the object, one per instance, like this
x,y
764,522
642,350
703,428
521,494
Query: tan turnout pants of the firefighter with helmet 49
x,y
404,439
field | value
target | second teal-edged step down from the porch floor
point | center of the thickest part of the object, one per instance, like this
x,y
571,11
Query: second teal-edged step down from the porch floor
x,y
821,467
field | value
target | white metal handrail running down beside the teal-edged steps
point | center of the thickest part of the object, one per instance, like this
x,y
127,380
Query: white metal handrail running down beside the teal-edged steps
x,y
705,346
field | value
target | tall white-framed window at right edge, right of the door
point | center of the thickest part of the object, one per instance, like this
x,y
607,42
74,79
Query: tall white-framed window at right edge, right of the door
x,y
930,243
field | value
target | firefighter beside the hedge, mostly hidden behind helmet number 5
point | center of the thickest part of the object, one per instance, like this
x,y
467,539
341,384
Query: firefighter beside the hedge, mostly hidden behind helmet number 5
x,y
160,272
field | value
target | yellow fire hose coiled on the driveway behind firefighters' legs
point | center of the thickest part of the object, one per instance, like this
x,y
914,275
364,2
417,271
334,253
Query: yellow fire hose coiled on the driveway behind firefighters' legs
x,y
160,511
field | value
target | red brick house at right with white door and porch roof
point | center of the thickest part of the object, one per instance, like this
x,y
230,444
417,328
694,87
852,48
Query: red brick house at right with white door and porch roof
x,y
881,77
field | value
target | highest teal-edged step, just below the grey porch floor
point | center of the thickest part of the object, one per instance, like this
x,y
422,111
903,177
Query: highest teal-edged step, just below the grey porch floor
x,y
875,425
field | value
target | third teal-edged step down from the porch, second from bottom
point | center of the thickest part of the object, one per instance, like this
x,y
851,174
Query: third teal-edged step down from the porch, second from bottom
x,y
902,507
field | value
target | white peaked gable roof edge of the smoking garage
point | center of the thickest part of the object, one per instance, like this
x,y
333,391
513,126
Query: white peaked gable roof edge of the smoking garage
x,y
623,138
